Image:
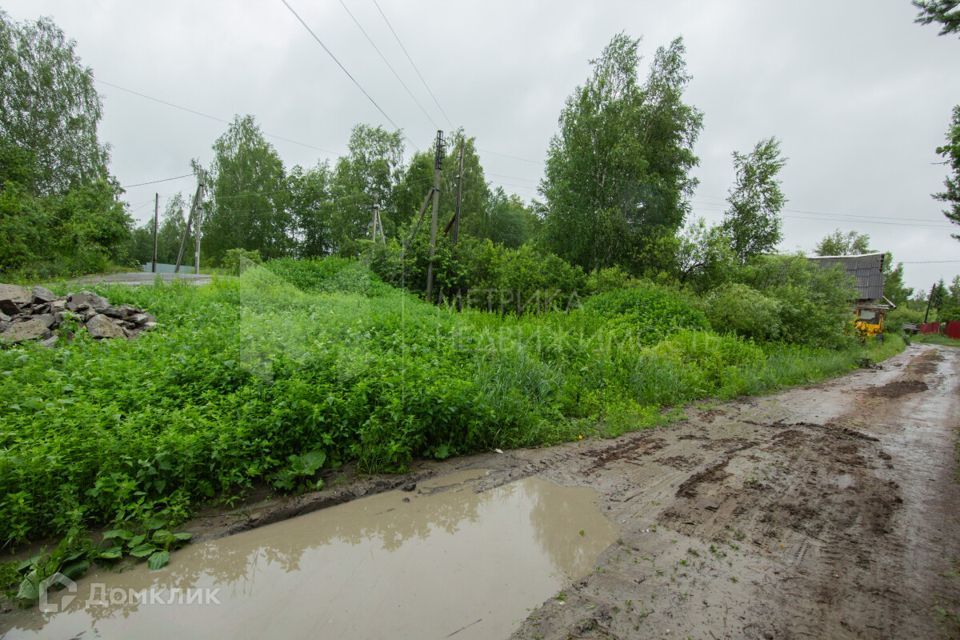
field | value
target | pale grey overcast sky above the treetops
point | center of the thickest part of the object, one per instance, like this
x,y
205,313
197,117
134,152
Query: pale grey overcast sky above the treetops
x,y
859,95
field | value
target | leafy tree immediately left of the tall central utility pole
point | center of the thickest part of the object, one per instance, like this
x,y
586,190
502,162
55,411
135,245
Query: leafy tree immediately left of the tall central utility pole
x,y
364,179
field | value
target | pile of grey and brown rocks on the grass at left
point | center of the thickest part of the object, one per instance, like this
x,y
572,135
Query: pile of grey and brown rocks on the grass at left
x,y
34,314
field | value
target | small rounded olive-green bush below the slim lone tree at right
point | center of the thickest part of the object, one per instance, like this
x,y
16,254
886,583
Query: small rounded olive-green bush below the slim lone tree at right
x,y
745,311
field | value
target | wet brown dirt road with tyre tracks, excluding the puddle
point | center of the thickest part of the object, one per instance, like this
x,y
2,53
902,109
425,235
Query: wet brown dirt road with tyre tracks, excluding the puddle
x,y
831,511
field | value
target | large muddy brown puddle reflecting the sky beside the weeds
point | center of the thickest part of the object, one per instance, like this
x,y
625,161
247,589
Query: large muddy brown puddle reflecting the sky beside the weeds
x,y
448,563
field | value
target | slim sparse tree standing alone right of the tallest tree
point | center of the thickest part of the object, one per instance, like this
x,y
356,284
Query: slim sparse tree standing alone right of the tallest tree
x,y
753,220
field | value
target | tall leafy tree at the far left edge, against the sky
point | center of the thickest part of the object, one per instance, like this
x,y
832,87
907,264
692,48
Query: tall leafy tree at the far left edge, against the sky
x,y
49,108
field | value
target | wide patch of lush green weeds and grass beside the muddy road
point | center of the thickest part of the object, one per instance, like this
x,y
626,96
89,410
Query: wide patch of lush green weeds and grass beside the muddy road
x,y
253,380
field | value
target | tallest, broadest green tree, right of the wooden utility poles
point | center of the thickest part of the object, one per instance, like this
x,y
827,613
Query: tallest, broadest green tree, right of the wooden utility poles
x,y
617,172
